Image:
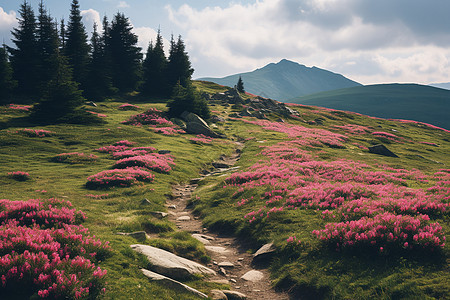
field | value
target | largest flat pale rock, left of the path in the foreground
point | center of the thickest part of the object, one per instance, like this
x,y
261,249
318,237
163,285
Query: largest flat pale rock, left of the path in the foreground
x,y
171,265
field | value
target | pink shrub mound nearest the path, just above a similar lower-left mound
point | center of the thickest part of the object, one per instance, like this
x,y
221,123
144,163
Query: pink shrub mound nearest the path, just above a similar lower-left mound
x,y
153,161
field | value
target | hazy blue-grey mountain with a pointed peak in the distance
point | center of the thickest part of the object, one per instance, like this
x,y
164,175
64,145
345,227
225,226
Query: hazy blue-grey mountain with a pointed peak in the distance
x,y
286,80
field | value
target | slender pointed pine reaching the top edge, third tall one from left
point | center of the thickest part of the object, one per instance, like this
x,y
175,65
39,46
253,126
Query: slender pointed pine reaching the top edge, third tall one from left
x,y
76,47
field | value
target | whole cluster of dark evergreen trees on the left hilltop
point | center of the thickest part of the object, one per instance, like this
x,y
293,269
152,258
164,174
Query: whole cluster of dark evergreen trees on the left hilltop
x,y
56,65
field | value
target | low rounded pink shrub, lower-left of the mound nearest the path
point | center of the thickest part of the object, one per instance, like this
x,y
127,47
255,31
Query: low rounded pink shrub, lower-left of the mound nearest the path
x,y
118,177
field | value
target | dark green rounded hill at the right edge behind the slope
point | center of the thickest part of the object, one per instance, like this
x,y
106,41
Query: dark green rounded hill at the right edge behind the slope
x,y
396,101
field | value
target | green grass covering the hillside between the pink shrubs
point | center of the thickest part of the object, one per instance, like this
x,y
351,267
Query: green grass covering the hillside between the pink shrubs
x,y
316,272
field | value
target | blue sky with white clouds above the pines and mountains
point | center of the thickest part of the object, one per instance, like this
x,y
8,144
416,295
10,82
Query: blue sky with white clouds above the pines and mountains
x,y
369,41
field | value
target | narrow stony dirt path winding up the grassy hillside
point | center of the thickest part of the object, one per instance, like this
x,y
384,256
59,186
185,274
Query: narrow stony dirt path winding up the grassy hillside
x,y
229,258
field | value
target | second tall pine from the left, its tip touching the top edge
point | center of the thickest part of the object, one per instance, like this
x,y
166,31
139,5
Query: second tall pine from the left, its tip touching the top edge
x,y
47,46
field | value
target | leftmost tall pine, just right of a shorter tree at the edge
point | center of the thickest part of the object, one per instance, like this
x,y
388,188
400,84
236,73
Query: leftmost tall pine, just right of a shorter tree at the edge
x,y
24,58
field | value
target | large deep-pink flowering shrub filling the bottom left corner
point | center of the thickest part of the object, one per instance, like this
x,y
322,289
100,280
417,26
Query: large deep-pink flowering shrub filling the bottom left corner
x,y
44,254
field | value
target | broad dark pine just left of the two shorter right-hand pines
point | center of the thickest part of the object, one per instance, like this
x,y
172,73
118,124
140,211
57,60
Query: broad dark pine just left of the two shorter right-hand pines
x,y
126,56
